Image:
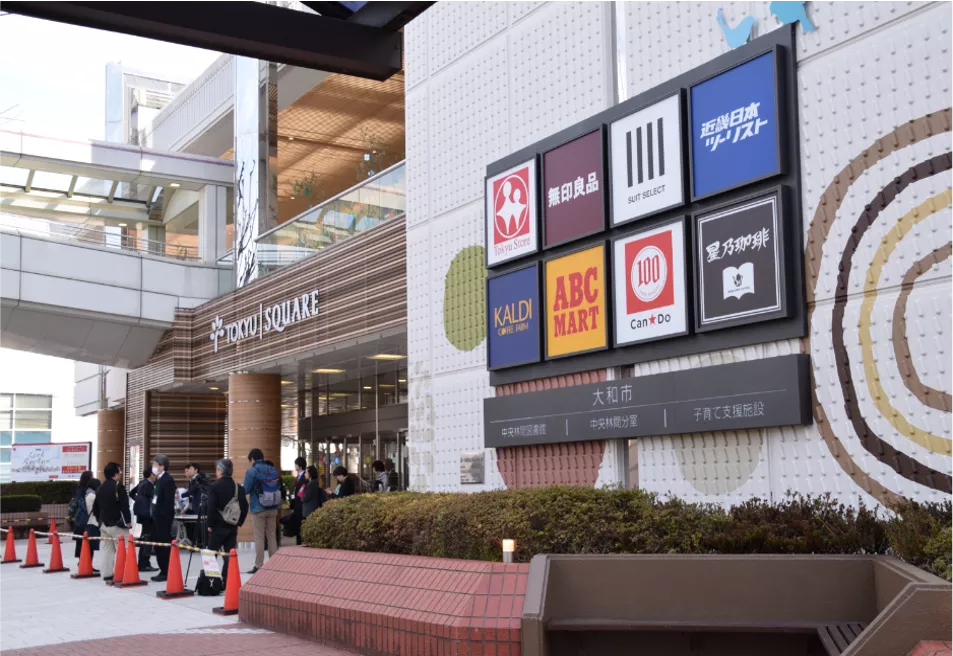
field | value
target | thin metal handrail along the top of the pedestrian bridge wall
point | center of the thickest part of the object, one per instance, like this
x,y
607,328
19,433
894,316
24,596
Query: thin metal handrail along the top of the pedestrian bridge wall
x,y
96,236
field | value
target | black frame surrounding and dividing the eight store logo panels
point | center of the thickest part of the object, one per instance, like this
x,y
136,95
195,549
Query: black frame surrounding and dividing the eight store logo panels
x,y
782,40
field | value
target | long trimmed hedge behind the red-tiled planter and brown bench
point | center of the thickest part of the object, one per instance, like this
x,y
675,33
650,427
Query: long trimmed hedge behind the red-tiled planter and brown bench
x,y
585,520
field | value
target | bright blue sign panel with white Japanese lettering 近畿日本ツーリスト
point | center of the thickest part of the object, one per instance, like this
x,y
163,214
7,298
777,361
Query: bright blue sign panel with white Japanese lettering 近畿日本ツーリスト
x,y
735,127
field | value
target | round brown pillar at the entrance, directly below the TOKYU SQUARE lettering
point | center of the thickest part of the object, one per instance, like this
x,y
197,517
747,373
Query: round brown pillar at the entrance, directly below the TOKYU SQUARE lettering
x,y
254,422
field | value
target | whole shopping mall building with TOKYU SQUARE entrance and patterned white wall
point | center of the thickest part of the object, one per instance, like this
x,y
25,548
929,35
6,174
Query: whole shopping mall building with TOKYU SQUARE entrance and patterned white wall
x,y
698,249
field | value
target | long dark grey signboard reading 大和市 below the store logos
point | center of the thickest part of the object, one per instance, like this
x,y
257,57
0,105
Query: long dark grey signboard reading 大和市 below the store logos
x,y
755,394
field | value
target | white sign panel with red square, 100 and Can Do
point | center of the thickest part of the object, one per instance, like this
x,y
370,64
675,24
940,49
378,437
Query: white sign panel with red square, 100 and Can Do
x,y
649,282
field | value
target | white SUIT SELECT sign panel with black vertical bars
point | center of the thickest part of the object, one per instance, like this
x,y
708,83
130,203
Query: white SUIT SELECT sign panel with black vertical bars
x,y
646,156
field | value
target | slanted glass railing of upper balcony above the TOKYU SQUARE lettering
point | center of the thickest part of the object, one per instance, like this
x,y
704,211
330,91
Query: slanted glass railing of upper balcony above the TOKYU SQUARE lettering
x,y
351,212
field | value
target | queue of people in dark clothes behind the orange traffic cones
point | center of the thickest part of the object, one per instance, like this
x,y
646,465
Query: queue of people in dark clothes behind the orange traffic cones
x,y
104,509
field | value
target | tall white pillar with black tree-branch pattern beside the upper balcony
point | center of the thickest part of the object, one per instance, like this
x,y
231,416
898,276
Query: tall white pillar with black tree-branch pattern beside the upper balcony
x,y
256,161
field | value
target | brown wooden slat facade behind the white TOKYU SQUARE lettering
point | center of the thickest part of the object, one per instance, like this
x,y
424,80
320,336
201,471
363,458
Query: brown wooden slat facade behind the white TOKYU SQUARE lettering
x,y
362,286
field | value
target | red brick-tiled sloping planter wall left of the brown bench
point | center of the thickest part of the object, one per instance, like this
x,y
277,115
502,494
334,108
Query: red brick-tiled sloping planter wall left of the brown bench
x,y
380,604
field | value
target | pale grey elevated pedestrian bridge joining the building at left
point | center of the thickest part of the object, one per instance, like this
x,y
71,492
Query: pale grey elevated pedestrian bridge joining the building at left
x,y
99,243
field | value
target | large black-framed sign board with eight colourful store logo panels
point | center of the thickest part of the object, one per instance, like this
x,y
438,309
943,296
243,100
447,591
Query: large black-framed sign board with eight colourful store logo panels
x,y
666,226
